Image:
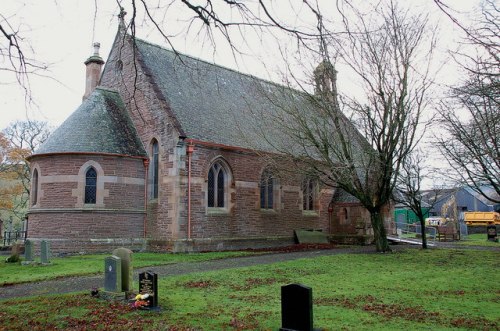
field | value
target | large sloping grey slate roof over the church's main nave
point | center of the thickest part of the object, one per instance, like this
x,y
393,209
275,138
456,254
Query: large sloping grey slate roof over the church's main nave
x,y
215,104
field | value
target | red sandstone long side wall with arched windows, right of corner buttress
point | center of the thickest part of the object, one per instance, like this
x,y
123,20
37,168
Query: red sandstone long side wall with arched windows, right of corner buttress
x,y
245,218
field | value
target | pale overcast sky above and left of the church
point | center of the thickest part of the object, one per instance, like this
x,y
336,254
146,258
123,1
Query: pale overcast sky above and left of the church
x,y
61,34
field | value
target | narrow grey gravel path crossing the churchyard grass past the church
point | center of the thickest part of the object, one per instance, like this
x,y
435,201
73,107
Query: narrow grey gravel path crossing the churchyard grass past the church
x,y
86,283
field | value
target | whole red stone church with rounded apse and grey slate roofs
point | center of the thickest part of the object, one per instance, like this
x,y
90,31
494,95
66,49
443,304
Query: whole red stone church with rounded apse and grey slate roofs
x,y
161,156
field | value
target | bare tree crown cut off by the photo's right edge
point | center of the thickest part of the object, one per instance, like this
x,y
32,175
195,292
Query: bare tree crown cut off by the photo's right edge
x,y
470,115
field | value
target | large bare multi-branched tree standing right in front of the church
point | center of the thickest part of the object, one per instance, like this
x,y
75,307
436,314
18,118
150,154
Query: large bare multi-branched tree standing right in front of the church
x,y
384,54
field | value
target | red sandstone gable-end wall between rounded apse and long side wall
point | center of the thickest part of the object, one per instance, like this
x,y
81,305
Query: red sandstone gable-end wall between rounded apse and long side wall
x,y
151,121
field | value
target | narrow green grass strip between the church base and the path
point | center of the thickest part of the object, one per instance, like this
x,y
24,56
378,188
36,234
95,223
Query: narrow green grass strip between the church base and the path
x,y
12,273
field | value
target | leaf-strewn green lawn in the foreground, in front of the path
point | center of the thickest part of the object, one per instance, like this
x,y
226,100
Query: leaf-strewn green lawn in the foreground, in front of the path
x,y
436,289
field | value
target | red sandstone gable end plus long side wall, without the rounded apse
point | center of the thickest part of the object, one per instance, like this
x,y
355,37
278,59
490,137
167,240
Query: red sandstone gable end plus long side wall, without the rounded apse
x,y
167,216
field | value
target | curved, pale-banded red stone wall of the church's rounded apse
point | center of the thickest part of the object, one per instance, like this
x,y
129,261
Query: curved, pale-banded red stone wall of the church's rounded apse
x,y
61,216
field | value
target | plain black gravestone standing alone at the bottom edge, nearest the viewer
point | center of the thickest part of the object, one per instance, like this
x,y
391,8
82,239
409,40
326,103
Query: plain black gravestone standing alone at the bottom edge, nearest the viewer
x,y
296,308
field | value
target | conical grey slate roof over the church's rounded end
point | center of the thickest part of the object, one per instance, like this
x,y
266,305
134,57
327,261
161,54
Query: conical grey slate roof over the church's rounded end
x,y
100,125
